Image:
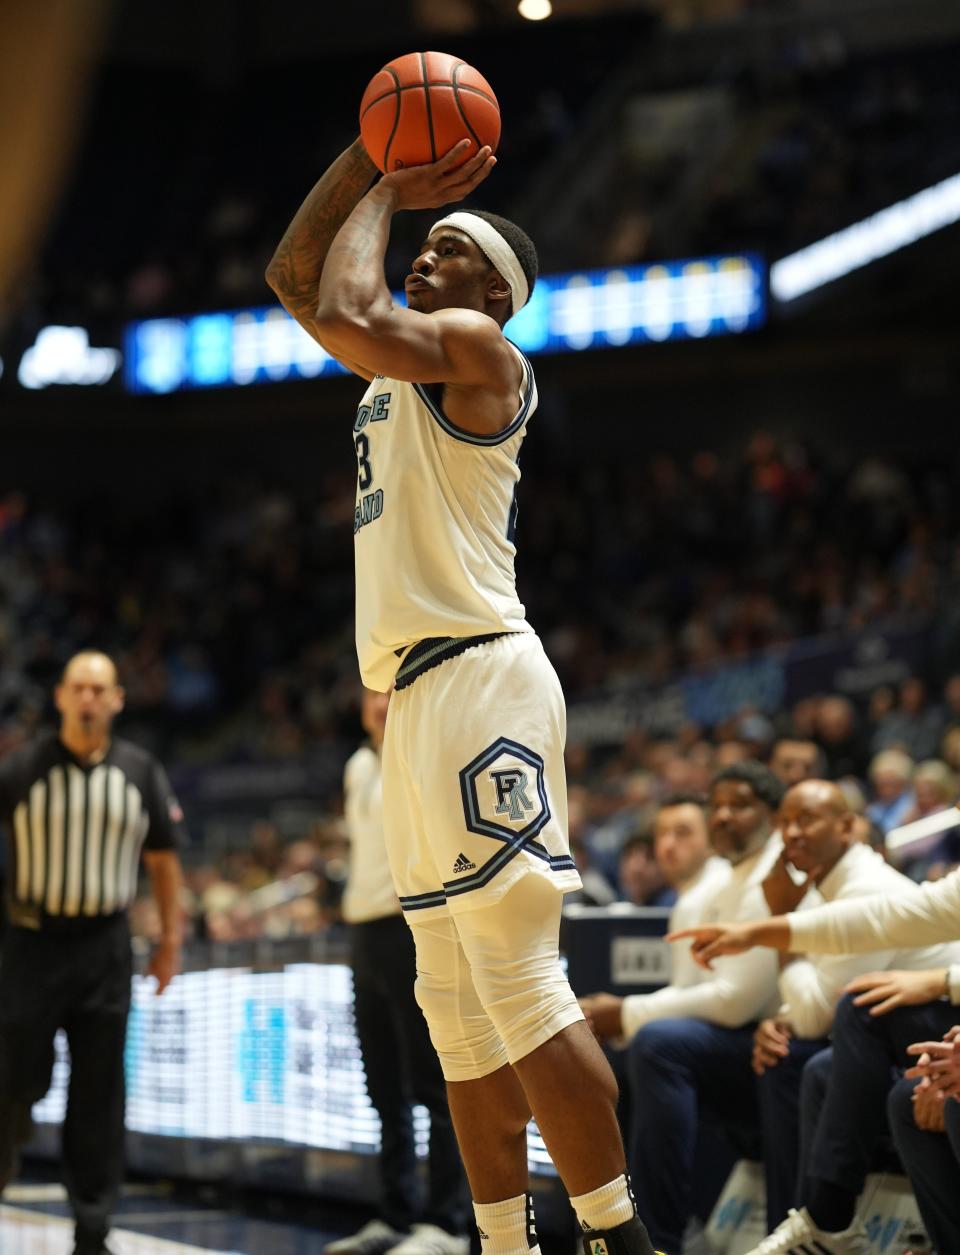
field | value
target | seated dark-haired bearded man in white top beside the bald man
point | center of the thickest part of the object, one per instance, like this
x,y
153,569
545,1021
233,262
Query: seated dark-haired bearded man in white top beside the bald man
x,y
690,1046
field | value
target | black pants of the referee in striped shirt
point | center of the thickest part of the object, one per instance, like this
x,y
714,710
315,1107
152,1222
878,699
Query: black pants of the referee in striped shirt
x,y
77,977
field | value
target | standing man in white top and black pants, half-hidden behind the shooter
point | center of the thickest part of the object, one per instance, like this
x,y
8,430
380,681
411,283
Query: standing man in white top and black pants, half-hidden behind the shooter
x,y
401,1065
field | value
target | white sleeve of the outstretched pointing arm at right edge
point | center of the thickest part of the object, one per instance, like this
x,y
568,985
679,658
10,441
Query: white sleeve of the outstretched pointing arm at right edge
x,y
913,917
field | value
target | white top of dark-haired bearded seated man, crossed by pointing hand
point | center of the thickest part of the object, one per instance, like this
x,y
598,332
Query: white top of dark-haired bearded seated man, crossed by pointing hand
x,y
740,990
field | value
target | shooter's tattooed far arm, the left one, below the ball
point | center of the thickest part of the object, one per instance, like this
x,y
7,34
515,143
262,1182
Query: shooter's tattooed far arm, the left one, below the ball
x,y
296,269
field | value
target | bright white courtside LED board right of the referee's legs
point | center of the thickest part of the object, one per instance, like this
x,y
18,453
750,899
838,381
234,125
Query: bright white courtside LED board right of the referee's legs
x,y
232,1055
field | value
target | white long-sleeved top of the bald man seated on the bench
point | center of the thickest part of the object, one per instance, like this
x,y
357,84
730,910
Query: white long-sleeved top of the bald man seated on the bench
x,y
813,987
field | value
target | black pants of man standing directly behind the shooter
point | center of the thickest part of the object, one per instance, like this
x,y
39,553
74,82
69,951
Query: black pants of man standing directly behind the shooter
x,y
402,1070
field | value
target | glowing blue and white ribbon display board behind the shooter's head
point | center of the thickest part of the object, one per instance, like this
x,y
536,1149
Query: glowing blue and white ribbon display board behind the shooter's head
x,y
590,309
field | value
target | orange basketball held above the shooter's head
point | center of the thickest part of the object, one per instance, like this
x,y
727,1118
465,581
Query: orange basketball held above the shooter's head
x,y
420,106
